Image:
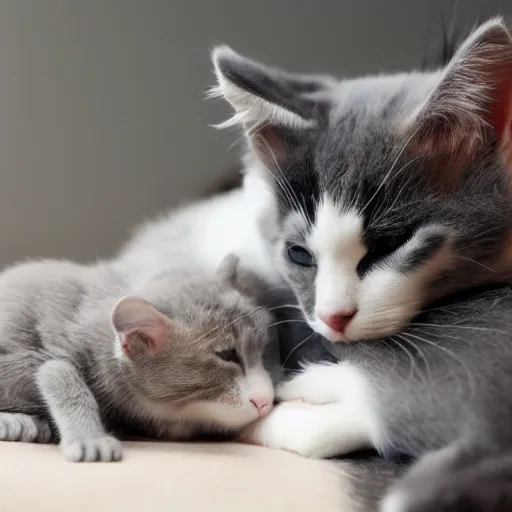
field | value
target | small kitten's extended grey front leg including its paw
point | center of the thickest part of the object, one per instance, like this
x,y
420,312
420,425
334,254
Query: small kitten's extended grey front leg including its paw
x,y
75,411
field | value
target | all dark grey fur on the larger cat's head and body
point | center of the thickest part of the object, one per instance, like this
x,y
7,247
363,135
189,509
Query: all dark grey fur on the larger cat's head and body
x,y
441,387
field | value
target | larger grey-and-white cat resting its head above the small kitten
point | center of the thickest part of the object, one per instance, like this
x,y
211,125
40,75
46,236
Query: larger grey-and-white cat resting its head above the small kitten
x,y
391,192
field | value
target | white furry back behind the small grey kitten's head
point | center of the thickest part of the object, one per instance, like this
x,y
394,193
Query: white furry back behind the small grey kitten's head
x,y
228,223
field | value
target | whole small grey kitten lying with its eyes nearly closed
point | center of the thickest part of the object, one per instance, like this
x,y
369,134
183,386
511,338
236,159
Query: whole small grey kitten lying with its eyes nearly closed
x,y
83,353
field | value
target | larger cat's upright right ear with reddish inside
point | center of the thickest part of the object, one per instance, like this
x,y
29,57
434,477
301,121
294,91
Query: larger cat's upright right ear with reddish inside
x,y
471,106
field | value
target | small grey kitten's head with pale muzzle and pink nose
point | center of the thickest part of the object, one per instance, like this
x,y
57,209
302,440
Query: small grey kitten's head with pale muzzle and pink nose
x,y
195,349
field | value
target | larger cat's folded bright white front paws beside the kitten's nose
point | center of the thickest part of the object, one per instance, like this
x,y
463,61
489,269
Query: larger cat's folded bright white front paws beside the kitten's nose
x,y
342,420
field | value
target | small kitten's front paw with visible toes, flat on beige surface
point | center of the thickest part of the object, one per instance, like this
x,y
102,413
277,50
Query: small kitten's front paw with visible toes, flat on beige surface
x,y
92,449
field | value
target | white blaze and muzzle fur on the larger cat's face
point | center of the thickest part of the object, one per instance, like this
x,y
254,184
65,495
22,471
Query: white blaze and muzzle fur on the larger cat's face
x,y
385,299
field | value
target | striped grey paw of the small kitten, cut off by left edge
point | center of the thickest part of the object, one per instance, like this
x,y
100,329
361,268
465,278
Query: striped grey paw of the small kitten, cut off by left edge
x,y
24,428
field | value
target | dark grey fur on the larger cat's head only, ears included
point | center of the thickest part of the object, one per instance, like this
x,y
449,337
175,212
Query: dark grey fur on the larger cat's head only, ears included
x,y
345,139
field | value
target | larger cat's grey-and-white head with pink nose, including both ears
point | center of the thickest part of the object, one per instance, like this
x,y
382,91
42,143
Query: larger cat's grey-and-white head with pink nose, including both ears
x,y
390,191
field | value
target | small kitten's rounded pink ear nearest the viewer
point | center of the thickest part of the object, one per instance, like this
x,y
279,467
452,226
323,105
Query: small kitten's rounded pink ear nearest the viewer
x,y
140,327
